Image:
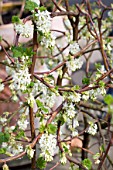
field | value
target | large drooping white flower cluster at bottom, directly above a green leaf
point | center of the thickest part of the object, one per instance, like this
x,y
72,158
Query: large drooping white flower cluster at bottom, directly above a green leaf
x,y
48,145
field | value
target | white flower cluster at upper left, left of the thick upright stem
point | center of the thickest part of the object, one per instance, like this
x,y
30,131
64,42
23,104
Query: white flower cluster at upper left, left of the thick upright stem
x,y
23,29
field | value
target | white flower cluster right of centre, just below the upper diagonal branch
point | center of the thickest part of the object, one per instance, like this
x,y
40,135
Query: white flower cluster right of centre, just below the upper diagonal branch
x,y
74,64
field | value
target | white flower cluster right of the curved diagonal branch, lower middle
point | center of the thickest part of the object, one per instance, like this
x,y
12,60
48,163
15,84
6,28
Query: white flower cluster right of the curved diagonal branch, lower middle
x,y
69,110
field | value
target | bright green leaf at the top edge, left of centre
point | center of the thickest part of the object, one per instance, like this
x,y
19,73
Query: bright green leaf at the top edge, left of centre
x,y
30,5
